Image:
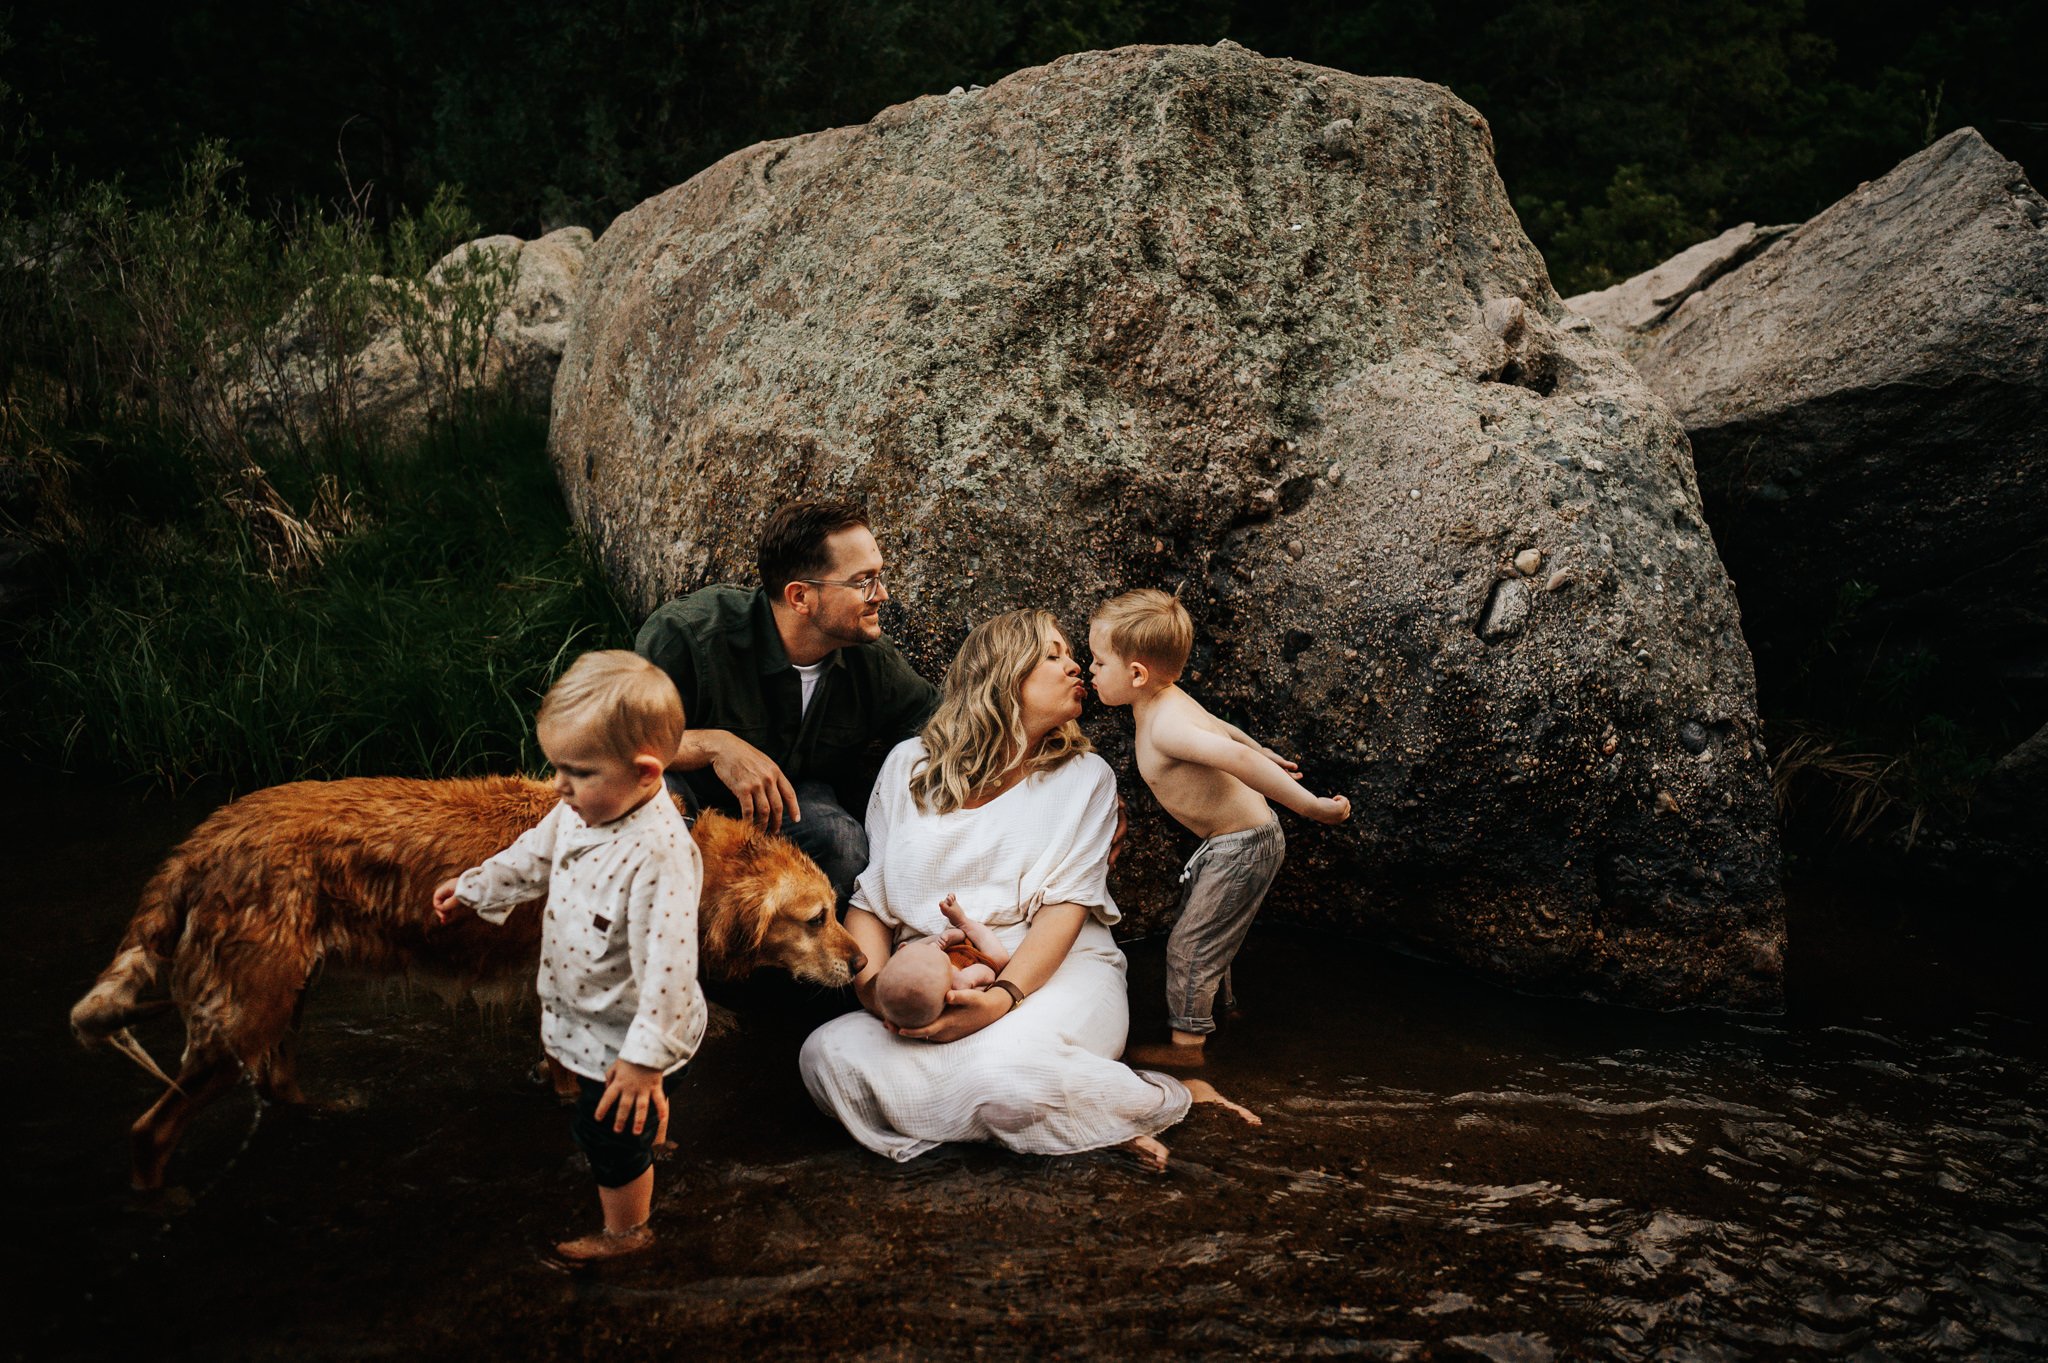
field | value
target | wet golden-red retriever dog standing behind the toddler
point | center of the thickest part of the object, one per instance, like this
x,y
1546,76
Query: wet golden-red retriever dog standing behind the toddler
x,y
292,879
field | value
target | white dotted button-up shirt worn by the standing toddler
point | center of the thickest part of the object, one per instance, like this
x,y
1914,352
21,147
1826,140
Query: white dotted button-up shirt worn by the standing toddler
x,y
620,936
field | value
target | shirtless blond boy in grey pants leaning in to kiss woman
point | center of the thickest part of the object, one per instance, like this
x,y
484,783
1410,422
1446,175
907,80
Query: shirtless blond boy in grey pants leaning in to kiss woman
x,y
1215,781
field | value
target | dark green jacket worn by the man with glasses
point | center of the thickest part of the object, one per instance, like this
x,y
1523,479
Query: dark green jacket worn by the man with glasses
x,y
722,650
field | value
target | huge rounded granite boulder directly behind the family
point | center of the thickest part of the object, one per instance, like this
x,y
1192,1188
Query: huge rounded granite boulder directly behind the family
x,y
1273,335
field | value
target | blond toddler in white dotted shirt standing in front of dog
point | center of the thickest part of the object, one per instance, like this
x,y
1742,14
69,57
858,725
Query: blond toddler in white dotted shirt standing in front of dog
x,y
620,998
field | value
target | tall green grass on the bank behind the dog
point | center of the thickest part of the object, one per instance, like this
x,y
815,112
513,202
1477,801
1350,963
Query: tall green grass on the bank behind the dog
x,y
419,644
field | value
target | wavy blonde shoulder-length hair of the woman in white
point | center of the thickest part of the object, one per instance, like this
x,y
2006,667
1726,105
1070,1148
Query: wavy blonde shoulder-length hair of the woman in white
x,y
978,732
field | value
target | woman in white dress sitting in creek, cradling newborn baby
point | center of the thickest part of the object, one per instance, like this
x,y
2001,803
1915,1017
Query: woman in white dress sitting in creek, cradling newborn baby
x,y
1002,805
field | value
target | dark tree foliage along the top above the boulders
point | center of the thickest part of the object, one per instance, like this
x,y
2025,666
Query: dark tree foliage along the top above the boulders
x,y
1623,126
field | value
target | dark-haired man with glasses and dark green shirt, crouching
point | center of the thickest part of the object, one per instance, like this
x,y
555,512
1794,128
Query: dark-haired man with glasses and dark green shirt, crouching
x,y
792,693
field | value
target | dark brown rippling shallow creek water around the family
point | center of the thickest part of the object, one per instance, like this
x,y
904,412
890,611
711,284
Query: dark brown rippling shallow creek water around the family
x,y
1447,1172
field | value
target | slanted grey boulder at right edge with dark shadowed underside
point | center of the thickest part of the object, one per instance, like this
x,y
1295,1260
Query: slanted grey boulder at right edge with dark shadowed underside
x,y
1869,414
